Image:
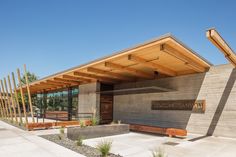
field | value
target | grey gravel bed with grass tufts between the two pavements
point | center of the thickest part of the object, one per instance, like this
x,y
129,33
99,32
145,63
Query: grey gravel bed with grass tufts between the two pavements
x,y
84,149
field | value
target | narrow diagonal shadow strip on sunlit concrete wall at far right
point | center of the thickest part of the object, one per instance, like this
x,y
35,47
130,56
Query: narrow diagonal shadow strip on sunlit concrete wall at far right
x,y
222,102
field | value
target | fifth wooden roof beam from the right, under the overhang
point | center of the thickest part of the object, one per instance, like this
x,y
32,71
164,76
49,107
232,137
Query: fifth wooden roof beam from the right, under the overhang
x,y
93,76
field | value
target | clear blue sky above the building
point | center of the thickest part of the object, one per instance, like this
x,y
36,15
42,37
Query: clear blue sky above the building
x,y
53,35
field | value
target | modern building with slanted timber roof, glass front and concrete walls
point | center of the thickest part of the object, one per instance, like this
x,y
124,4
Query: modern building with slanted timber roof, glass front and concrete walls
x,y
158,83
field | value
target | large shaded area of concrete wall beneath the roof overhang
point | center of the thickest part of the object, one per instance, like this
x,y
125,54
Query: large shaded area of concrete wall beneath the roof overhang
x,y
136,108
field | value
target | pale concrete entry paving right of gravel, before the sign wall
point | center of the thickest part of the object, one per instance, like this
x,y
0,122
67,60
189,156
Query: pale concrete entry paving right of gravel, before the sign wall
x,y
142,145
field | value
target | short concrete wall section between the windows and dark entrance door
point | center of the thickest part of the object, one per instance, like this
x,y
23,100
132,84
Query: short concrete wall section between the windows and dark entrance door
x,y
89,99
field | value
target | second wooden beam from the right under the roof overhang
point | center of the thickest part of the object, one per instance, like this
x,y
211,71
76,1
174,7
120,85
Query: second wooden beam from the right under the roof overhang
x,y
152,65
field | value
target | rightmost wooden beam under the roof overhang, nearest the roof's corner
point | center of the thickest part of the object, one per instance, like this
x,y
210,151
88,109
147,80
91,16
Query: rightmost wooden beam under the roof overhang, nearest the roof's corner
x,y
187,61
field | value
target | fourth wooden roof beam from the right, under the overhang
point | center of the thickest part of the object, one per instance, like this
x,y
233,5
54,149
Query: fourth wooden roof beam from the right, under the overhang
x,y
109,73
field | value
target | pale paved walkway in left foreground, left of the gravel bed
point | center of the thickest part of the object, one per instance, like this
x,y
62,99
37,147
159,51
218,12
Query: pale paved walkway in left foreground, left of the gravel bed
x,y
18,143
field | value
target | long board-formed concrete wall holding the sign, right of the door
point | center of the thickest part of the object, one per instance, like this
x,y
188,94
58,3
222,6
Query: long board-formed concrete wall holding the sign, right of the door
x,y
217,87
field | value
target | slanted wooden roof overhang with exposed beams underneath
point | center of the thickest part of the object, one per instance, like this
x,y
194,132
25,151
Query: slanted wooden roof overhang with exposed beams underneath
x,y
162,57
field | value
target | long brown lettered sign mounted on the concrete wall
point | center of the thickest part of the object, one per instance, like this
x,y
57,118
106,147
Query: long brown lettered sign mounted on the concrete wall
x,y
196,106
